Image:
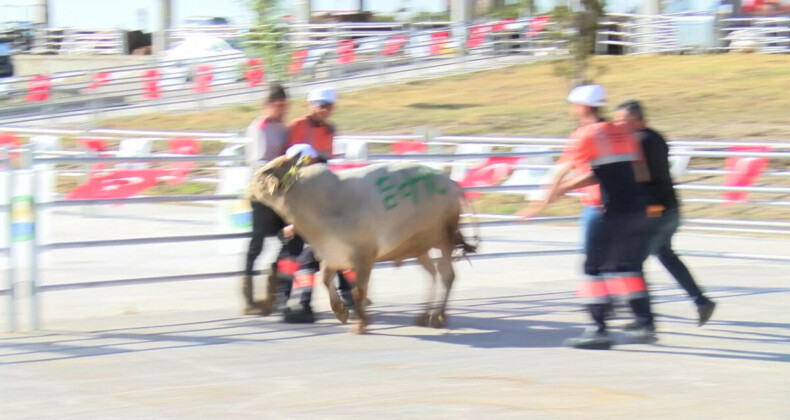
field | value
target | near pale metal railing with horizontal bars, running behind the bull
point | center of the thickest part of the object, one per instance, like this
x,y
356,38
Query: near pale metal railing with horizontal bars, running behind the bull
x,y
711,225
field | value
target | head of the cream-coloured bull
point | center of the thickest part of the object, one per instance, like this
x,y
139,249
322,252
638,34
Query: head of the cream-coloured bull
x,y
270,183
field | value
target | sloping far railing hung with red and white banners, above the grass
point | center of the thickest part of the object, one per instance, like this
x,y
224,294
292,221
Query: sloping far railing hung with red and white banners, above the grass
x,y
374,60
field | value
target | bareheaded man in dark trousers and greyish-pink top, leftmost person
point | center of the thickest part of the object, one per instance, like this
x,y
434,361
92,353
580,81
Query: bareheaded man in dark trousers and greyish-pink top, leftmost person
x,y
269,137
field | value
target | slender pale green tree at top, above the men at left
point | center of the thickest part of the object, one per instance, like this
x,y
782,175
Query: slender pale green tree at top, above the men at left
x,y
267,37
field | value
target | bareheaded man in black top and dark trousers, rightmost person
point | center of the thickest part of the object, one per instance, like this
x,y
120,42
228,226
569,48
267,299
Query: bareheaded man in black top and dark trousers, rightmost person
x,y
662,204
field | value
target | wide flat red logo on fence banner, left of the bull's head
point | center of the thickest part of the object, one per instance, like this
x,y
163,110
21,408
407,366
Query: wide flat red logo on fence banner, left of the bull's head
x,y
117,184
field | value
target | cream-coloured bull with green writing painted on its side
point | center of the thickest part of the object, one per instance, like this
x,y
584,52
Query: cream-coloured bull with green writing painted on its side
x,y
357,217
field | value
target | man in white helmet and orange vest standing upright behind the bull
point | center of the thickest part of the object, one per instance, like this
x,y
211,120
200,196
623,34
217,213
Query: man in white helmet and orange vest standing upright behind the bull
x,y
315,130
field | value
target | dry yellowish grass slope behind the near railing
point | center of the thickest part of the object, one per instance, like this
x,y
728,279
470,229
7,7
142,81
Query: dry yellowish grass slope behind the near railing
x,y
724,96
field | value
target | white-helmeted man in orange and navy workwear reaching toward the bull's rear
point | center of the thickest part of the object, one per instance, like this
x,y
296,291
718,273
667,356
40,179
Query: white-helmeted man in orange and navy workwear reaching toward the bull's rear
x,y
617,236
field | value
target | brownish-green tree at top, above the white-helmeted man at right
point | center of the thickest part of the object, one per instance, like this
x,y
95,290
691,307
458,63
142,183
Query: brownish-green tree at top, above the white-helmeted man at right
x,y
578,29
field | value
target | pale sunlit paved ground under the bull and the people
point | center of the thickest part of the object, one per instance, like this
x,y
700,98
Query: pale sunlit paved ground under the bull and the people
x,y
181,350
